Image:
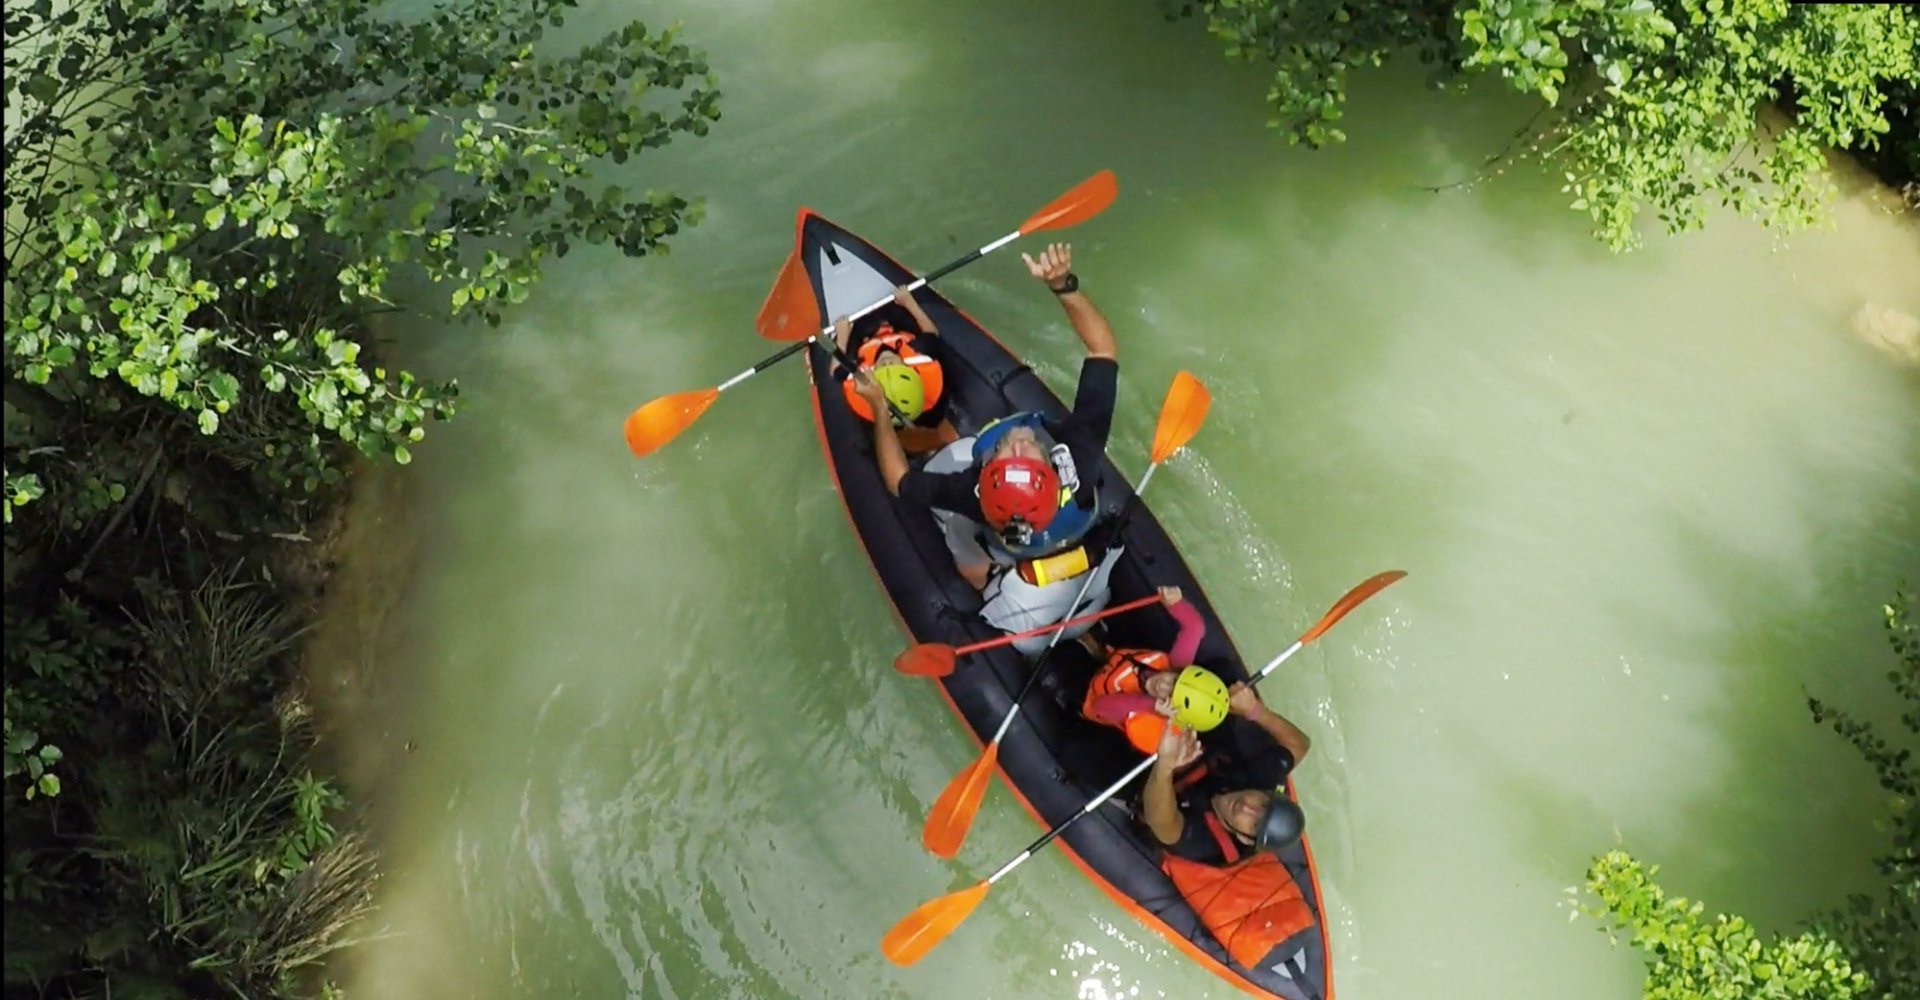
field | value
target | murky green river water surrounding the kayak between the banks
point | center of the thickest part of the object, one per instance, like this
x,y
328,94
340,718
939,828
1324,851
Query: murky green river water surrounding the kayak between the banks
x,y
629,728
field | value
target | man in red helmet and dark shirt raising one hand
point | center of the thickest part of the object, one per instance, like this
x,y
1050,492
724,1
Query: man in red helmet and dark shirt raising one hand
x,y
1032,481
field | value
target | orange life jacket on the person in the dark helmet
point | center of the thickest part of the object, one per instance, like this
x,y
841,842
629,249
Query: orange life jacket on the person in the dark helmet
x,y
1251,905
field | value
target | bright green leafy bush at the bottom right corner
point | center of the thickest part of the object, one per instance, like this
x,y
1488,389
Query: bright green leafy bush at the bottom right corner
x,y
1719,959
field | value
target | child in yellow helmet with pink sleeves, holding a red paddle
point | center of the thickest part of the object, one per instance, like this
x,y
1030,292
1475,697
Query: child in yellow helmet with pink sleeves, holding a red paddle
x,y
1140,690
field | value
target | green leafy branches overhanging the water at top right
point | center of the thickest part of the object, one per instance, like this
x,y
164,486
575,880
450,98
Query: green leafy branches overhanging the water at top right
x,y
1652,105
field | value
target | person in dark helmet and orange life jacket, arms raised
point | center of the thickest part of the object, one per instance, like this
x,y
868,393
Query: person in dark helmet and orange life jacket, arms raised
x,y
1247,899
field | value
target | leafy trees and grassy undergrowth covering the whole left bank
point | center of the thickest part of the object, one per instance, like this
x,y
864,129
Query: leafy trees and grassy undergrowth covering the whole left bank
x,y
204,208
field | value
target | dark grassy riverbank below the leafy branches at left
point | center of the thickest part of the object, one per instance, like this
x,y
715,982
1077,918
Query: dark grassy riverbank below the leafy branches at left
x,y
183,836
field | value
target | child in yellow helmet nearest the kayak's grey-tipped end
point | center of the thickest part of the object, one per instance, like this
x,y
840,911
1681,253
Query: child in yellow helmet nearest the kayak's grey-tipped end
x,y
907,366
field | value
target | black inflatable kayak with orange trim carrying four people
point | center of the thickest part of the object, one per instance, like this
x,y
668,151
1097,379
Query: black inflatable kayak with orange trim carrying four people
x,y
1051,759
